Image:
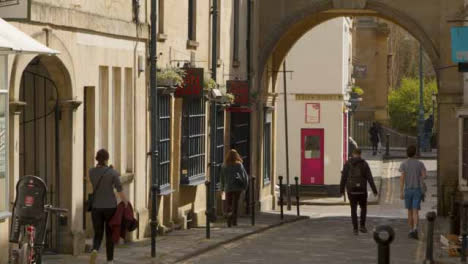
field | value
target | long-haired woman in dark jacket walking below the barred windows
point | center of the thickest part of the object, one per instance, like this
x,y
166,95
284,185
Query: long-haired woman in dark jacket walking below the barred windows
x,y
234,180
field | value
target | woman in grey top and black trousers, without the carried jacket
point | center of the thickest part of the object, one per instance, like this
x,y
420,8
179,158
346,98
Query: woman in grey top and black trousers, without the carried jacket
x,y
104,203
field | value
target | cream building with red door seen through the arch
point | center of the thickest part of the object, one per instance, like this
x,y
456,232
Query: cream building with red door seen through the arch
x,y
317,88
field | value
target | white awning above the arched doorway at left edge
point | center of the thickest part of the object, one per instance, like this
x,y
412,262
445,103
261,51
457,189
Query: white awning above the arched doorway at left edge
x,y
13,40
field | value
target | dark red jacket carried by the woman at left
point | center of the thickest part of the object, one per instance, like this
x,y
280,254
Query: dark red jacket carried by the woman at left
x,y
122,222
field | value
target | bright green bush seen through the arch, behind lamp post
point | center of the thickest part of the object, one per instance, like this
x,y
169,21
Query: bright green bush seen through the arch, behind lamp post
x,y
404,104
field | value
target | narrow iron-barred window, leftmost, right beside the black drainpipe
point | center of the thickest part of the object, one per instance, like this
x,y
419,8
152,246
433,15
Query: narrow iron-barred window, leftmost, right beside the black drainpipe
x,y
165,150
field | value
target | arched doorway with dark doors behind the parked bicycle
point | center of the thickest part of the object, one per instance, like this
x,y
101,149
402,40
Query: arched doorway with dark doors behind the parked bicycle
x,y
41,132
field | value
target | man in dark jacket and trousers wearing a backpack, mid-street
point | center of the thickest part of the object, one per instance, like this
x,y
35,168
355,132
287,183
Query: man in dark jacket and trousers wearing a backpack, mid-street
x,y
355,176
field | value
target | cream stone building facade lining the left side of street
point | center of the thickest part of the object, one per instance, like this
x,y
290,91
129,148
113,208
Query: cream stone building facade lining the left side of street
x,y
94,95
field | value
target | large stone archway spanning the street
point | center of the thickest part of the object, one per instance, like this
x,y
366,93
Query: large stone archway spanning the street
x,y
280,23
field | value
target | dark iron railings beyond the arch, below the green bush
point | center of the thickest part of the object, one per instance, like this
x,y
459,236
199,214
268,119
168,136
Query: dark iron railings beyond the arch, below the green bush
x,y
397,140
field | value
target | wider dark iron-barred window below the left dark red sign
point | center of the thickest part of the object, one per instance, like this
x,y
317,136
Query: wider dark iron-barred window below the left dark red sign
x,y
193,141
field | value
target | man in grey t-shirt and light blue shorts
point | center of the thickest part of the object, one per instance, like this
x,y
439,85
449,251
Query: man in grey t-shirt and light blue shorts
x,y
413,173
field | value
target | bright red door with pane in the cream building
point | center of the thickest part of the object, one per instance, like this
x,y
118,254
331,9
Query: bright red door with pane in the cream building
x,y
312,157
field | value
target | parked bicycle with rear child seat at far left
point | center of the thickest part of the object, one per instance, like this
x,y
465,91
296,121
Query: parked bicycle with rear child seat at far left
x,y
29,221
